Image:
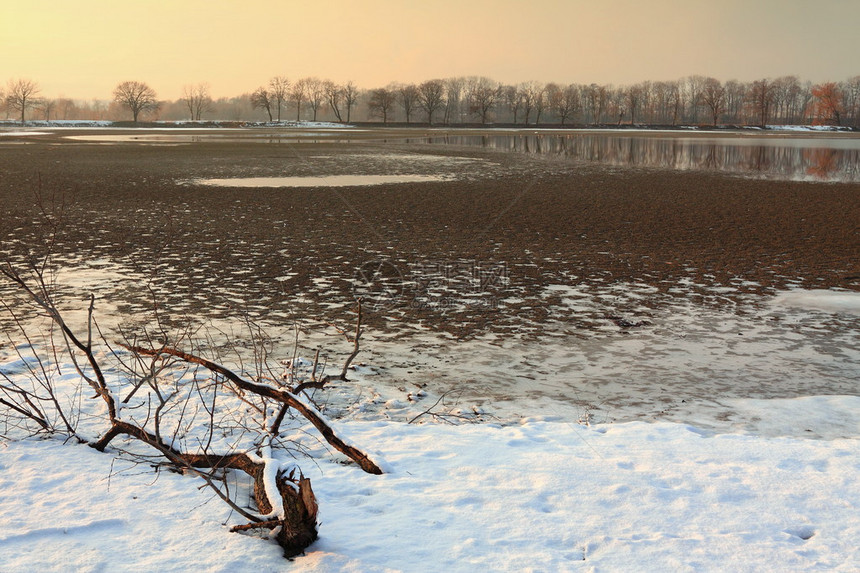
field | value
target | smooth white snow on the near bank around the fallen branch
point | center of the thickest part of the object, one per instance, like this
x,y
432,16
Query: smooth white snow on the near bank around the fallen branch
x,y
538,496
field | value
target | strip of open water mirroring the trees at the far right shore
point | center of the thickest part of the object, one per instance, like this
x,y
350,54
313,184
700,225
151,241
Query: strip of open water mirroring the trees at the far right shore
x,y
804,159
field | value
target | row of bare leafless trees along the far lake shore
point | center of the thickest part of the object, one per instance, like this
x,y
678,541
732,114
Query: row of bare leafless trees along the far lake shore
x,y
693,100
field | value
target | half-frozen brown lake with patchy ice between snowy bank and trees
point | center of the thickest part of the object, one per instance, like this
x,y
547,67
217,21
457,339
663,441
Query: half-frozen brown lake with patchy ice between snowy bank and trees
x,y
617,276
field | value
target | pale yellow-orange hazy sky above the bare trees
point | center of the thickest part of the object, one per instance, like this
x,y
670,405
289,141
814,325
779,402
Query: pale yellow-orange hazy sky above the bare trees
x,y
83,48
